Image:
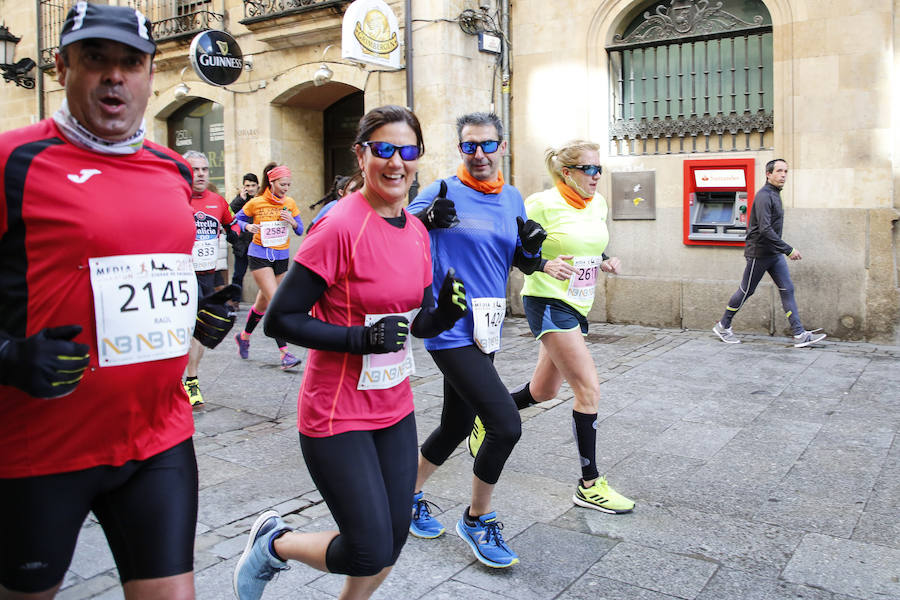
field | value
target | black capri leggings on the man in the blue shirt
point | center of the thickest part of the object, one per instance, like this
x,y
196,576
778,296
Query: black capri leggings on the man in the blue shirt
x,y
472,386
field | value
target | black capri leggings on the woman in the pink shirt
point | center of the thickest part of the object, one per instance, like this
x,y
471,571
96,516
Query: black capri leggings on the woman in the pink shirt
x,y
382,464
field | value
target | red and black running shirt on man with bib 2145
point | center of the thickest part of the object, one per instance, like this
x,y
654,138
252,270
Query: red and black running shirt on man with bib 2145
x,y
60,207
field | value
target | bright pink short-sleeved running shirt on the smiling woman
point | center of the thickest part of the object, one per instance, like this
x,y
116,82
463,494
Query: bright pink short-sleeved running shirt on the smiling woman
x,y
370,268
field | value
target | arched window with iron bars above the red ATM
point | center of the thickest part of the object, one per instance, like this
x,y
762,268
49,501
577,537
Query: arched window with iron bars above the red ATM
x,y
693,76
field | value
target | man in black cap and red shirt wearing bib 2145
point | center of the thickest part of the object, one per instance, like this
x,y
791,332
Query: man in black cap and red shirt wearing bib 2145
x,y
98,301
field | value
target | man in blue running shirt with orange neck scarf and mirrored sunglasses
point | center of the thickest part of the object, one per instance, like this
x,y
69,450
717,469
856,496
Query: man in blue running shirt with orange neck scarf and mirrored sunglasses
x,y
478,226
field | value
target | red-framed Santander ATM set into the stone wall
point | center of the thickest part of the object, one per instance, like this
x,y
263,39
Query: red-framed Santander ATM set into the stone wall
x,y
718,194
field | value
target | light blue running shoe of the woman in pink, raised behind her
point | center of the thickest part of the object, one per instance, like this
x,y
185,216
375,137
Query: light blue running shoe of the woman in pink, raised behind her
x,y
257,565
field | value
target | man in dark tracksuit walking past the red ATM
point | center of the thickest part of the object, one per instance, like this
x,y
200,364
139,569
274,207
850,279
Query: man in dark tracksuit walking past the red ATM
x,y
764,252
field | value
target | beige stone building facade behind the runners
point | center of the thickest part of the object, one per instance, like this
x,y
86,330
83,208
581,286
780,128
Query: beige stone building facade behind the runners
x,y
818,90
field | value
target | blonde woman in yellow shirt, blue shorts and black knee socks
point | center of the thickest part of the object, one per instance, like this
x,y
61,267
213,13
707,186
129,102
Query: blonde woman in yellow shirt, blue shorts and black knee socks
x,y
557,299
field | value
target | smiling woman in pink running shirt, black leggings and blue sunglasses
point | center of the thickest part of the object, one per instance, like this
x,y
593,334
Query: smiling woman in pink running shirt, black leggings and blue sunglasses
x,y
360,283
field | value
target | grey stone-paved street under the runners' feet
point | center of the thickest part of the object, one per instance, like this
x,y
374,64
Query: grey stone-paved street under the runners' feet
x,y
760,471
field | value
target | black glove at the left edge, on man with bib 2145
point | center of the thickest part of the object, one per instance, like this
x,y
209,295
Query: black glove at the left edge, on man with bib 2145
x,y
46,365
